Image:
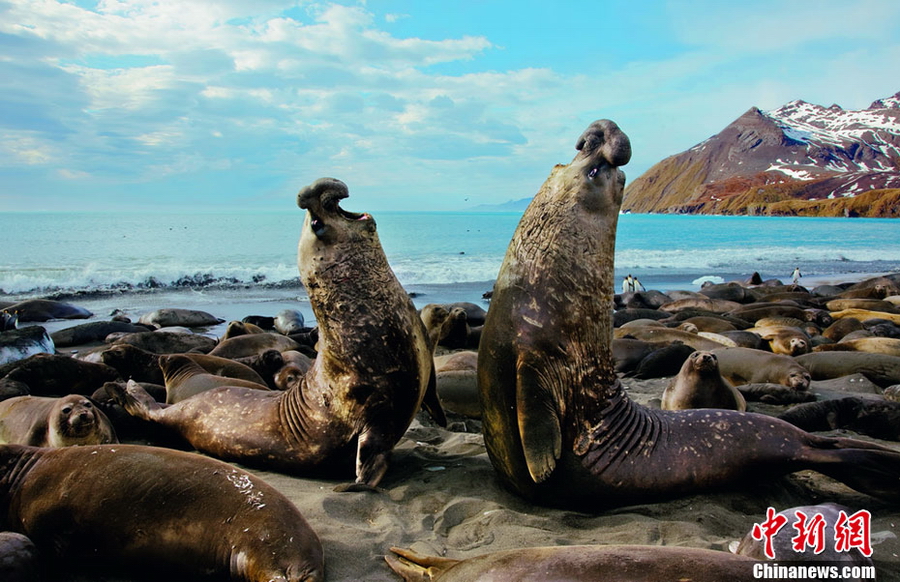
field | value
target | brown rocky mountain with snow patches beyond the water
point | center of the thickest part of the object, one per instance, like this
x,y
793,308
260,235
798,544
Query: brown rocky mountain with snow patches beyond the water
x,y
800,159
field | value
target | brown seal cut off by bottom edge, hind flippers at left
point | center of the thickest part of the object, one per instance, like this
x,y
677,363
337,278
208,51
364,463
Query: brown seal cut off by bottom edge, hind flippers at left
x,y
613,563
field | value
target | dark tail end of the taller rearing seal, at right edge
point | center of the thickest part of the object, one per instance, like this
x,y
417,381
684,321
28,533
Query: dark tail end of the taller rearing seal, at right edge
x,y
866,467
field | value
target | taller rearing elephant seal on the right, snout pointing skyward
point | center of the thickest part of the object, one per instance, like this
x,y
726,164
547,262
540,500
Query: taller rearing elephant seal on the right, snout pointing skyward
x,y
558,426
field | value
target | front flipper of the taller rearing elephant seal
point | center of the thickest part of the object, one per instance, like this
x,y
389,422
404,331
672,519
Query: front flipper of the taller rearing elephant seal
x,y
539,417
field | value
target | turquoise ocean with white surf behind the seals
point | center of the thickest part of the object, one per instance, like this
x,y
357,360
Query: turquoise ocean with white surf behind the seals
x,y
136,262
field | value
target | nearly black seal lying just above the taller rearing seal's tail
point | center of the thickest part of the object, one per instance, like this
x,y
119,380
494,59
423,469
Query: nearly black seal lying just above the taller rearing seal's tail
x,y
869,416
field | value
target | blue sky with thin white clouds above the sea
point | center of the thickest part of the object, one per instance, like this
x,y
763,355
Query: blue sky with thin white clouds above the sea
x,y
418,105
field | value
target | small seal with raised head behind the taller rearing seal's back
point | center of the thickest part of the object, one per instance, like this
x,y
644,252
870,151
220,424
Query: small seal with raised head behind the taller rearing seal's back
x,y
699,385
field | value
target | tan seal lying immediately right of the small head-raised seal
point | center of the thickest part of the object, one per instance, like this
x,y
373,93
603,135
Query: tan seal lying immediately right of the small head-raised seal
x,y
750,366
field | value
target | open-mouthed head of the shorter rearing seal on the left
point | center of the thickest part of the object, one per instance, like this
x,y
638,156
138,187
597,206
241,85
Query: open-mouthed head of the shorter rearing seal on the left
x,y
326,220
